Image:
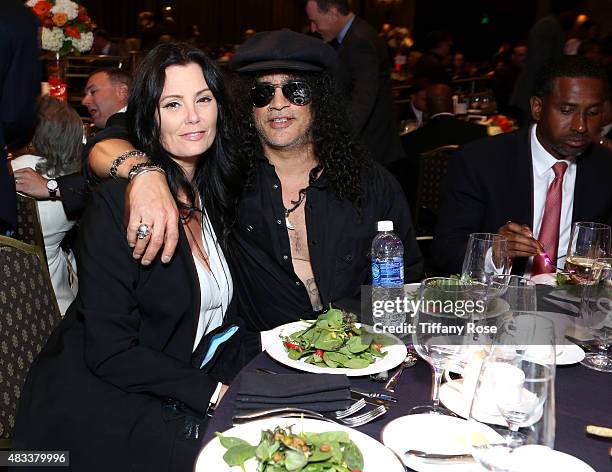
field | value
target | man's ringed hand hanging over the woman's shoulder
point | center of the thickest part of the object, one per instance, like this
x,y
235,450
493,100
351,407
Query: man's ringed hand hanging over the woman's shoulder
x,y
148,200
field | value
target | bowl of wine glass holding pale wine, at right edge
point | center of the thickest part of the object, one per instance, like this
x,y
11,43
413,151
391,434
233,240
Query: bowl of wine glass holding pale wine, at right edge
x,y
588,241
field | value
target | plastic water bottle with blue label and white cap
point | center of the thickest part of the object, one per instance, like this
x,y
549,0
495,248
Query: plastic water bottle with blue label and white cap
x,y
387,276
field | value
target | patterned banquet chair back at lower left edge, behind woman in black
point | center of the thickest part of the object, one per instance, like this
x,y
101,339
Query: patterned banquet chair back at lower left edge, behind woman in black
x,y
28,314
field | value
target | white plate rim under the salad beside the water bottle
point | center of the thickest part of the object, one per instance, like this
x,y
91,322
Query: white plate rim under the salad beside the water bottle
x,y
272,343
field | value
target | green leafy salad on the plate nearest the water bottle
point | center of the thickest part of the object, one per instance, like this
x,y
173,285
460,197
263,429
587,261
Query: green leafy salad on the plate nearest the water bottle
x,y
333,340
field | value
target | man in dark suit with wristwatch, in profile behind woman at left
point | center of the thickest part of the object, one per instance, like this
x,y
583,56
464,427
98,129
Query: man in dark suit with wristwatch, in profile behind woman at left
x,y
105,97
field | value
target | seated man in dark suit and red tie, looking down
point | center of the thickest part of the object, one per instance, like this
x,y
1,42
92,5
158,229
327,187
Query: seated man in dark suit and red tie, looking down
x,y
532,184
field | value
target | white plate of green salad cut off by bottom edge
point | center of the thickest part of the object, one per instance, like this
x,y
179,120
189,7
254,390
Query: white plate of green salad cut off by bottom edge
x,y
295,445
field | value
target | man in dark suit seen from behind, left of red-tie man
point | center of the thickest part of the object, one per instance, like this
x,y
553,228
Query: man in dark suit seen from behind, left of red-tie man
x,y
442,129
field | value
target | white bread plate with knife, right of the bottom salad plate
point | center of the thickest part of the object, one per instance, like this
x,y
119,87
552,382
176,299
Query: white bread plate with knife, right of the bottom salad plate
x,y
437,434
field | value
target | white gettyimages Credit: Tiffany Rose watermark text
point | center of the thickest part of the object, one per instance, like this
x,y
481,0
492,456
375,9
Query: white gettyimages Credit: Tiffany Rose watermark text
x,y
390,316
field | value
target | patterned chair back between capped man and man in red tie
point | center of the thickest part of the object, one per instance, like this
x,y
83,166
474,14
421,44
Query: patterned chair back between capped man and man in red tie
x,y
433,169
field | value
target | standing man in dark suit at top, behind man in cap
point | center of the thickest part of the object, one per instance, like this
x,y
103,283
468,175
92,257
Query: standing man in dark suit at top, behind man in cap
x,y
366,62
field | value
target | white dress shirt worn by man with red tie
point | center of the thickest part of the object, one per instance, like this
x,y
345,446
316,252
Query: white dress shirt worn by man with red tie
x,y
543,175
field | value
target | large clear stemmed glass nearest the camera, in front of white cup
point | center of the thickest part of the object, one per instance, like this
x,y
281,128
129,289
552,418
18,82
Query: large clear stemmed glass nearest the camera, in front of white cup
x,y
513,403
